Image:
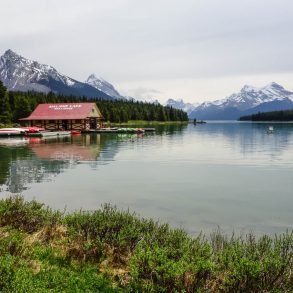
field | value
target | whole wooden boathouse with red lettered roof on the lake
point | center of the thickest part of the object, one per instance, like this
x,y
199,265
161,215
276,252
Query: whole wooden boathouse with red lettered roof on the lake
x,y
65,116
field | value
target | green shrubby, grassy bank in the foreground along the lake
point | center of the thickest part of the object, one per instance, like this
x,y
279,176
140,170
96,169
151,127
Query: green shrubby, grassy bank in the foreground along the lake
x,y
107,250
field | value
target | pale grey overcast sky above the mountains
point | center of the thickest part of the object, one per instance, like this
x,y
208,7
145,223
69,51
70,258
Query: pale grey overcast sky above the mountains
x,y
192,49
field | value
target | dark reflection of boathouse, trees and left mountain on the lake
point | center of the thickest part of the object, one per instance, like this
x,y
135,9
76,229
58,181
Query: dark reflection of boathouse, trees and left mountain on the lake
x,y
40,160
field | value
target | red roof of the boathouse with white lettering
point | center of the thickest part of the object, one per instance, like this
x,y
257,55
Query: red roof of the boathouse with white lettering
x,y
64,111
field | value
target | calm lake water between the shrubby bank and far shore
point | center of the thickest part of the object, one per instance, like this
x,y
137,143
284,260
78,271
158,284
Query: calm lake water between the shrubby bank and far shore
x,y
229,175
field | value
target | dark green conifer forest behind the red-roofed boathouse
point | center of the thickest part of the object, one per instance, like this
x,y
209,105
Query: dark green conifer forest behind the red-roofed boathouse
x,y
16,105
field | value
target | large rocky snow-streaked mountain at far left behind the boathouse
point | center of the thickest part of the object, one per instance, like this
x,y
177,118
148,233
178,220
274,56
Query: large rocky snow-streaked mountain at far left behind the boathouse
x,y
21,74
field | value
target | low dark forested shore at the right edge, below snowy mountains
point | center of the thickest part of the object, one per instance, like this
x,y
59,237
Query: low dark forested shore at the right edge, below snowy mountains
x,y
285,115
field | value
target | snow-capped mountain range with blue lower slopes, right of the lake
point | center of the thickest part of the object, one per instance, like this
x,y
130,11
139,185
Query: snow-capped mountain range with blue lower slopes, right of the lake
x,y
249,100
